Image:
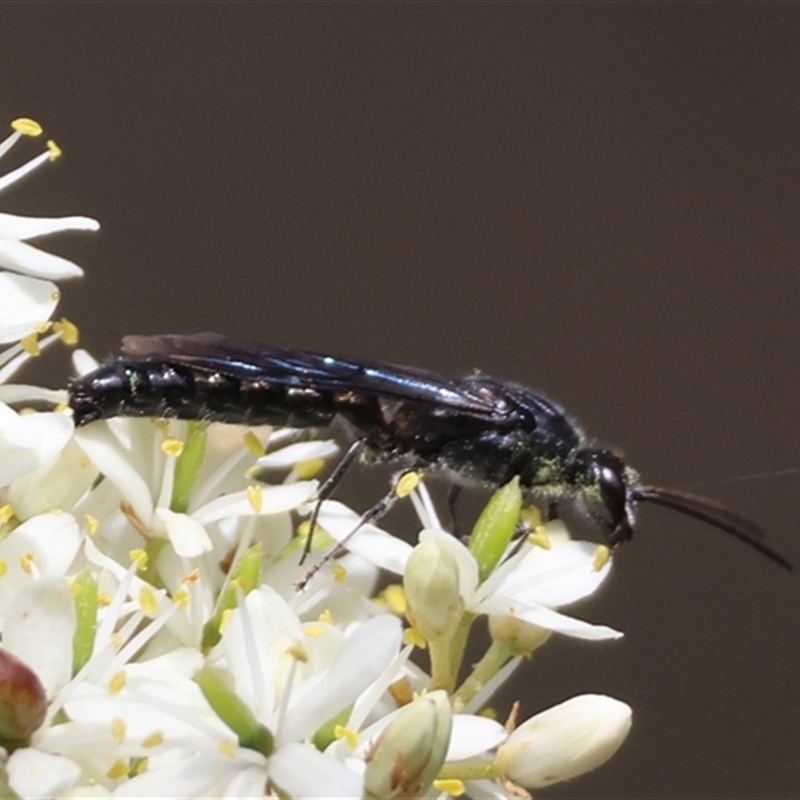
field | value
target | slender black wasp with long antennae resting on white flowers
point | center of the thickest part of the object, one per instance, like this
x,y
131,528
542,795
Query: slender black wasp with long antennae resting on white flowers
x,y
479,428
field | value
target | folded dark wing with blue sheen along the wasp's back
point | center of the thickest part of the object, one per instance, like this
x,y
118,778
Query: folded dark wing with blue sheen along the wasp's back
x,y
212,352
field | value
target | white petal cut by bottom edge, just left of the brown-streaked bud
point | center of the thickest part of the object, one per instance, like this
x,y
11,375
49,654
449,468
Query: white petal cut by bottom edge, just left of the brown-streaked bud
x,y
303,772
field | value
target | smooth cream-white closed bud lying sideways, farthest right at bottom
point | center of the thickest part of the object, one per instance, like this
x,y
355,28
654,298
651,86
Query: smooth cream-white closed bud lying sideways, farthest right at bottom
x,y
565,741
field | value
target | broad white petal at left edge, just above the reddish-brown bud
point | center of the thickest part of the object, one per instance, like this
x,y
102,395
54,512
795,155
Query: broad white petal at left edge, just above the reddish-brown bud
x,y
38,629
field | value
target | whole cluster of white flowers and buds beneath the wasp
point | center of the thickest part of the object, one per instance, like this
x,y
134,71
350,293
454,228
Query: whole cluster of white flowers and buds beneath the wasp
x,y
154,642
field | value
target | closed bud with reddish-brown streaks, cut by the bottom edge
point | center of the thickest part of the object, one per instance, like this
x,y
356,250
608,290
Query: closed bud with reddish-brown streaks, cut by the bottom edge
x,y
408,755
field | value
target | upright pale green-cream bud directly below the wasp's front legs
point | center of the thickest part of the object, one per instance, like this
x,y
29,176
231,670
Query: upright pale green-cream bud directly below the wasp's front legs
x,y
431,584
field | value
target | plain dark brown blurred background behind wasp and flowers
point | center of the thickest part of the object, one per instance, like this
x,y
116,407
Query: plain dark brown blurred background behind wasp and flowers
x,y
598,200
